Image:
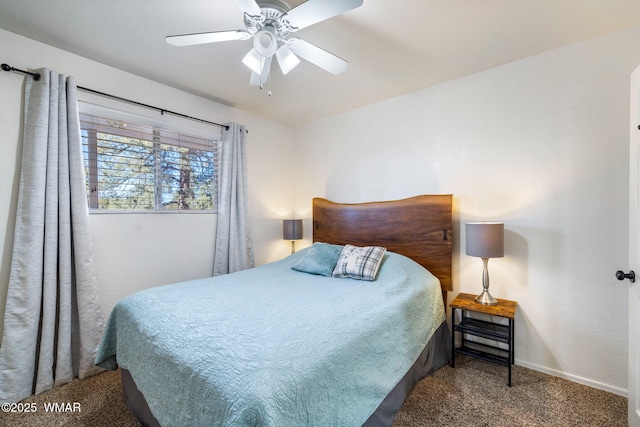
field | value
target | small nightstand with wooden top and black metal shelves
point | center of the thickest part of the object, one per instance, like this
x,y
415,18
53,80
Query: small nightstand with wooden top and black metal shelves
x,y
487,329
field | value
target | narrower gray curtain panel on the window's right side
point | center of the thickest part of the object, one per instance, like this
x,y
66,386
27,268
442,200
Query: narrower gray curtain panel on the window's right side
x,y
234,243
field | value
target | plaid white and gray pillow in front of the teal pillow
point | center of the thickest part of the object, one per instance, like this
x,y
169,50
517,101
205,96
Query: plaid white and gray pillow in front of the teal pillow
x,y
357,262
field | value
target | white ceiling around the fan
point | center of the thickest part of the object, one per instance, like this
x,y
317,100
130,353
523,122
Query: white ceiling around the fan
x,y
393,47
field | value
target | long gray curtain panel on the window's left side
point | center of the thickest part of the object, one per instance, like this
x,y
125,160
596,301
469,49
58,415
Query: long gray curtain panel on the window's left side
x,y
53,320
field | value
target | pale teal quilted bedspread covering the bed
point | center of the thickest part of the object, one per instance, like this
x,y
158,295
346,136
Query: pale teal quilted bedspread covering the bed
x,y
271,346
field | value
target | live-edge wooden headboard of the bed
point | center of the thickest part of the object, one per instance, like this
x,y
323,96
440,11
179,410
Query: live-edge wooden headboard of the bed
x,y
419,227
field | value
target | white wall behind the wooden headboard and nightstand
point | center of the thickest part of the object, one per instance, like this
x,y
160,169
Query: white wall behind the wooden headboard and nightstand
x,y
541,144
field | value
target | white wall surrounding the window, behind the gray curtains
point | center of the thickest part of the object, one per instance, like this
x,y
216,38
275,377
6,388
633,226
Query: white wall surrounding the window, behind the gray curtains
x,y
134,252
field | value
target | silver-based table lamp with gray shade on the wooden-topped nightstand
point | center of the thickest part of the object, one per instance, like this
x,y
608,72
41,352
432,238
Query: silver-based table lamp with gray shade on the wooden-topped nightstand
x,y
485,240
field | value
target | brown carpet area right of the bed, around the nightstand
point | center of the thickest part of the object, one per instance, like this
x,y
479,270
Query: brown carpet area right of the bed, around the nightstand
x,y
476,394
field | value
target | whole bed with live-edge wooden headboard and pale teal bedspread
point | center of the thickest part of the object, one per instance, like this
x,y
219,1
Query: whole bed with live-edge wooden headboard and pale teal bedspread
x,y
279,346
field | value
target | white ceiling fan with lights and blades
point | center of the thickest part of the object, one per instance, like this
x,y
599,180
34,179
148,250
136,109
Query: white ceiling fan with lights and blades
x,y
270,22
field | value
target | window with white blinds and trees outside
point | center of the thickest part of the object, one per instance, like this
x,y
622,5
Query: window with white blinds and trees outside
x,y
134,166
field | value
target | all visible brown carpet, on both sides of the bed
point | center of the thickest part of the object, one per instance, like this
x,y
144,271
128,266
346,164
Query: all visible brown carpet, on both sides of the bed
x,y
475,393
